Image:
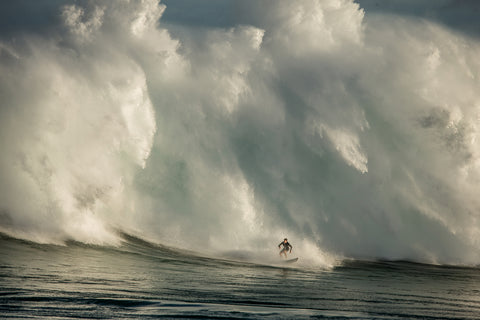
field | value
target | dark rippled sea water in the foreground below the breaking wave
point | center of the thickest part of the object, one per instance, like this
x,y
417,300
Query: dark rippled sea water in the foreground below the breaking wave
x,y
145,281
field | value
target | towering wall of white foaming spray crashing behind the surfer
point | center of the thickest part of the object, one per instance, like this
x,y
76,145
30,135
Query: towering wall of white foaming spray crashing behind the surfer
x,y
355,134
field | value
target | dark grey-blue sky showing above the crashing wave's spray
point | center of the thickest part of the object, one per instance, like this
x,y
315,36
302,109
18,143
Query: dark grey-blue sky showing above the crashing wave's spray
x,y
34,16
